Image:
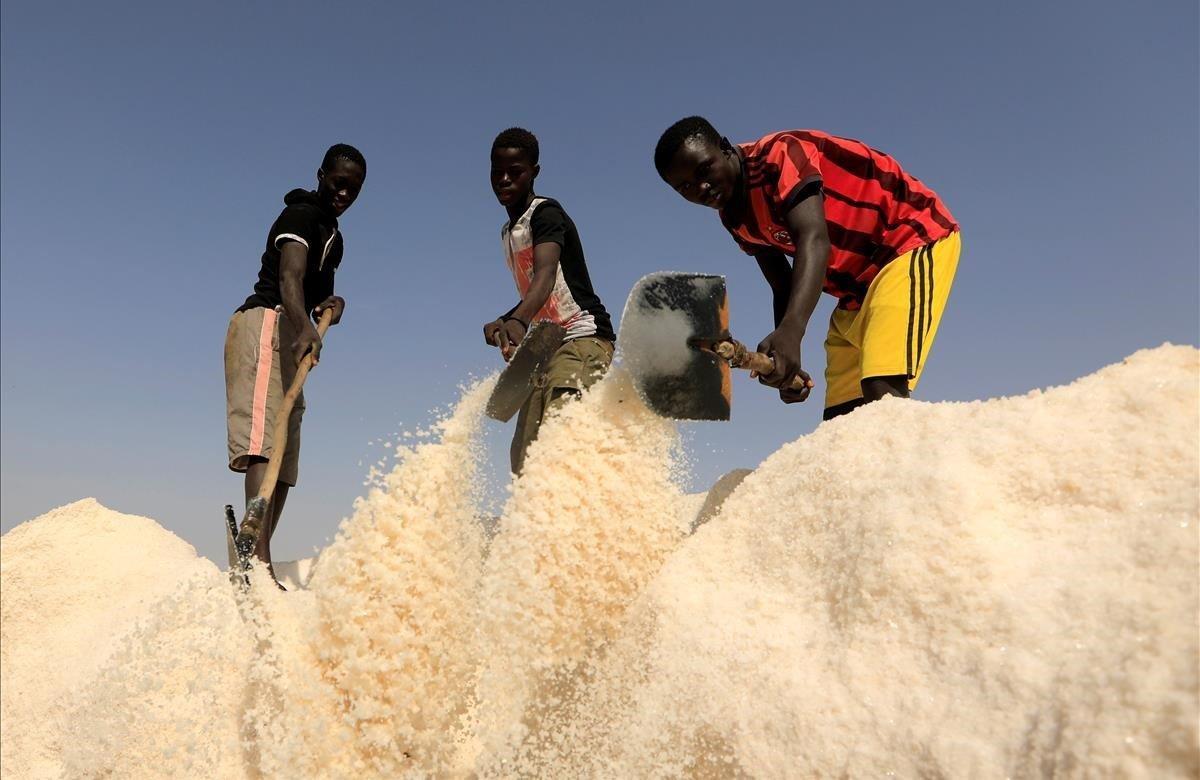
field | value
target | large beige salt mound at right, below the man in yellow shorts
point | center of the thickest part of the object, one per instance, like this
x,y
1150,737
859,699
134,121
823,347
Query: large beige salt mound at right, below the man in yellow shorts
x,y
1003,589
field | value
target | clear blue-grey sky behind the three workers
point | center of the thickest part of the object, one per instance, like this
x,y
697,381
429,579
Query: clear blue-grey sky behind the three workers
x,y
146,149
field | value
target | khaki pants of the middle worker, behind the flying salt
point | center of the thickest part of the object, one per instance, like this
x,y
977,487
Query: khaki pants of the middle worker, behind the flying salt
x,y
578,365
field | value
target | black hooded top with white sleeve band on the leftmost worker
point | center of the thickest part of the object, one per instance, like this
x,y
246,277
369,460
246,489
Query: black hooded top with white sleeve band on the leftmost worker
x,y
307,221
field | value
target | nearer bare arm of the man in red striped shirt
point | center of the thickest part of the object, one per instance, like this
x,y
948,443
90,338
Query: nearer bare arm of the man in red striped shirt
x,y
807,225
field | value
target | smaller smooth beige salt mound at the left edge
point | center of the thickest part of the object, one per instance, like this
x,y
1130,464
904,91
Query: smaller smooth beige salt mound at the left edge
x,y
74,584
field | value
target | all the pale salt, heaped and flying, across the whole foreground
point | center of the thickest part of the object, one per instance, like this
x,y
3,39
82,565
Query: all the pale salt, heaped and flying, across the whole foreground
x,y
1001,589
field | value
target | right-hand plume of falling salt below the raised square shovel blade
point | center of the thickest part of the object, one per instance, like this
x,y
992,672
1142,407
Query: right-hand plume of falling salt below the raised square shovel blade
x,y
589,525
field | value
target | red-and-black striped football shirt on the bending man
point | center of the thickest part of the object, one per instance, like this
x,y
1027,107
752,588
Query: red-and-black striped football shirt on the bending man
x,y
874,211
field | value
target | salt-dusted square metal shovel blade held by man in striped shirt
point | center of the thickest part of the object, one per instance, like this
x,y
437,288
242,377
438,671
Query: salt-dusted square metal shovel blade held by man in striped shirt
x,y
665,317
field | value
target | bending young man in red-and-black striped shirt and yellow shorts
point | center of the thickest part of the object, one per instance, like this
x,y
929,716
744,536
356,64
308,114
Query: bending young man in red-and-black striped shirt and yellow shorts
x,y
859,227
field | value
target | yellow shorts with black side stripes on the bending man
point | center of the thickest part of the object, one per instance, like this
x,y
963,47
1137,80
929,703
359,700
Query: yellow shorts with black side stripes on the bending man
x,y
895,331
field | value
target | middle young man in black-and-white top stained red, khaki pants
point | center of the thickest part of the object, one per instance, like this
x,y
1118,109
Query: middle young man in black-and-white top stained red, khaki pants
x,y
543,250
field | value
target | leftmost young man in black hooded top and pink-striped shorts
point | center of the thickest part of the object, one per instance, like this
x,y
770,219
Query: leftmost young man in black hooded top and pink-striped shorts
x,y
263,347
